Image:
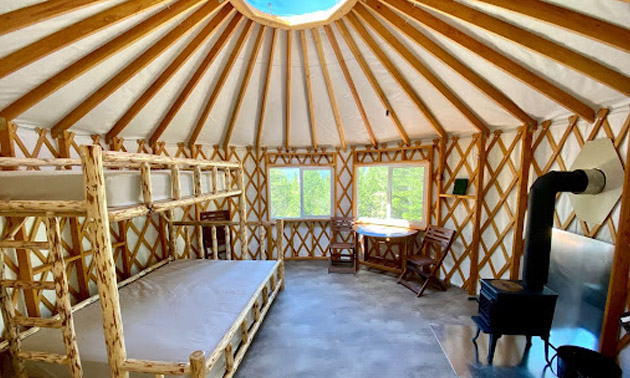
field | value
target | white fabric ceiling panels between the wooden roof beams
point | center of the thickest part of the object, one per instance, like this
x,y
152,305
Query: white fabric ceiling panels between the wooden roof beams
x,y
102,117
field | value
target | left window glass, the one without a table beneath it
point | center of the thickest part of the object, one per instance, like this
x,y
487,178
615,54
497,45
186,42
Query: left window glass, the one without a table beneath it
x,y
300,192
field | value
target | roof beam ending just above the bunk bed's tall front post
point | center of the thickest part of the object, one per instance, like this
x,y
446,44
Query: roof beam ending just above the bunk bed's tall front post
x,y
166,75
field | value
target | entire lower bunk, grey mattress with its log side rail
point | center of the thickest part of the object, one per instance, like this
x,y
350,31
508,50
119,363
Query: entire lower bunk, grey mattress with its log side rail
x,y
214,306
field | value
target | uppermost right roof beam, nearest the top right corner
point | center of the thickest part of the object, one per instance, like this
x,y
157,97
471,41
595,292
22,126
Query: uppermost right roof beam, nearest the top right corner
x,y
591,27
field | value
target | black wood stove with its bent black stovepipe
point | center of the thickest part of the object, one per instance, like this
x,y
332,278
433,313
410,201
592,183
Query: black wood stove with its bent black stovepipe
x,y
514,307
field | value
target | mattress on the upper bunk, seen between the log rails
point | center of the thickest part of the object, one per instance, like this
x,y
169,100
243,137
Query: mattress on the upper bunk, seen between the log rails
x,y
124,188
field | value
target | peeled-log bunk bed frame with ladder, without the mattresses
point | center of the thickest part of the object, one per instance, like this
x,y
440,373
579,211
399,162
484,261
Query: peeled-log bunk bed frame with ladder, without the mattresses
x,y
92,162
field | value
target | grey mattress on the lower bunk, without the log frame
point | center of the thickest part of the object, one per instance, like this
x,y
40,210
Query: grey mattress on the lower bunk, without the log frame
x,y
185,306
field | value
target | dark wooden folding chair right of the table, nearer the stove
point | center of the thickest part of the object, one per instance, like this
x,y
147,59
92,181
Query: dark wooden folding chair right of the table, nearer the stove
x,y
422,264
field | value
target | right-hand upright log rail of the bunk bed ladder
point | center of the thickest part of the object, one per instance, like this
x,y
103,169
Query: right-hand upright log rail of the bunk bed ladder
x,y
63,297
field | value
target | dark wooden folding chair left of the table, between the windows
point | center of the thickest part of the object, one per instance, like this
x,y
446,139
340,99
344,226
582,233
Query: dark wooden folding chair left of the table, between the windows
x,y
342,239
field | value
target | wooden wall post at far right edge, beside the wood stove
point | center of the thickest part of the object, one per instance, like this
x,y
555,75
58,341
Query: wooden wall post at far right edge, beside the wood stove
x,y
618,284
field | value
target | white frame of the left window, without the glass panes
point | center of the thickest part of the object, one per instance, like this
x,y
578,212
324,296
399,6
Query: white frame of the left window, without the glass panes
x,y
302,168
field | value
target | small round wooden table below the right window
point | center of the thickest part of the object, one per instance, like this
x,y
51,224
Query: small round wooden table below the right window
x,y
389,236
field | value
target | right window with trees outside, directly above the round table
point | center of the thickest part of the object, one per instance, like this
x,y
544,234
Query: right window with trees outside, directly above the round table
x,y
392,193
